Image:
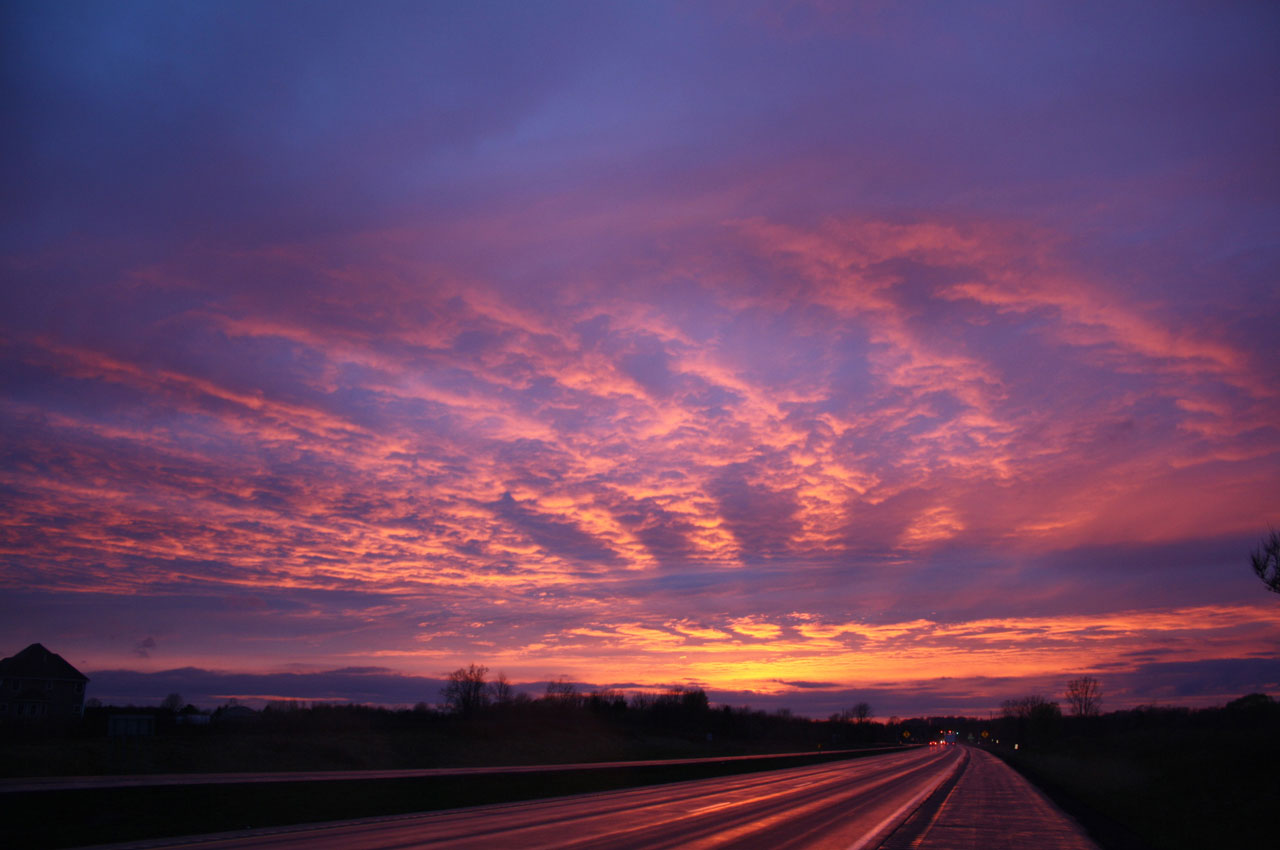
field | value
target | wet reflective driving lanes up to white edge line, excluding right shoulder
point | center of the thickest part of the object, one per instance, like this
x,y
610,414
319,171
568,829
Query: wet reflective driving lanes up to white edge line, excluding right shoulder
x,y
851,806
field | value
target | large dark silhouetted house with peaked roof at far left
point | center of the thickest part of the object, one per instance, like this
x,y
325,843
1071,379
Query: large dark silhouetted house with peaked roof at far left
x,y
38,684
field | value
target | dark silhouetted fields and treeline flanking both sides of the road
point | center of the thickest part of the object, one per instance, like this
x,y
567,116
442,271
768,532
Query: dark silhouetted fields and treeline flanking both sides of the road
x,y
1149,779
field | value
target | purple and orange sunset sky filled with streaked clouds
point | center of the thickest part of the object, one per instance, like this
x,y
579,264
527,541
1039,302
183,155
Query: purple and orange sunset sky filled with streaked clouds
x,y
921,354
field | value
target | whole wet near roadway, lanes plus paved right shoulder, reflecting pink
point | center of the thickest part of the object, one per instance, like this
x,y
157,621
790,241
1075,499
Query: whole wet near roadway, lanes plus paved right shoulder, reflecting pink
x,y
925,798
